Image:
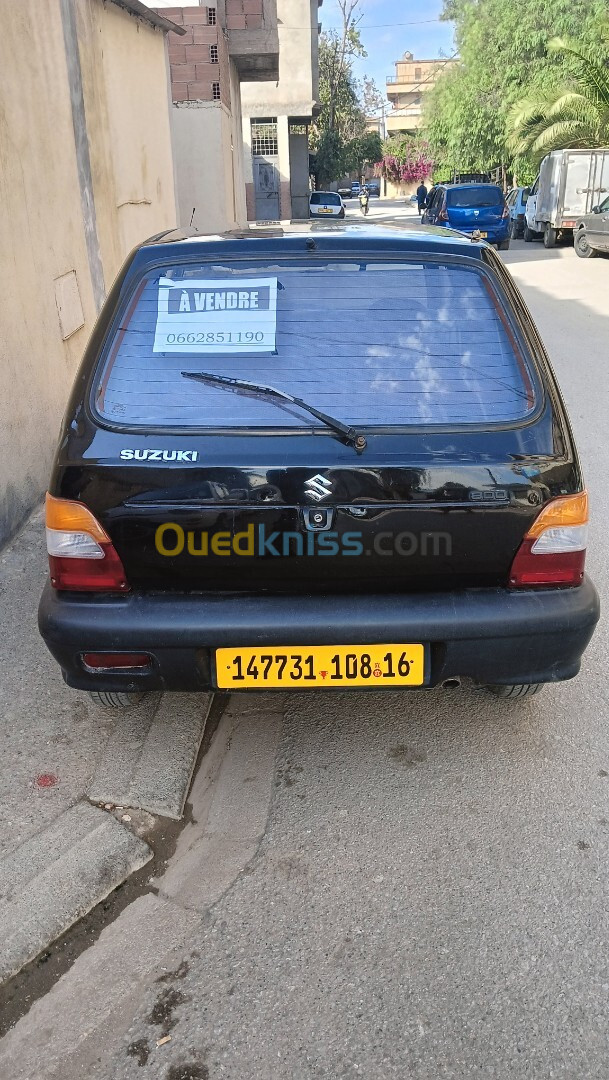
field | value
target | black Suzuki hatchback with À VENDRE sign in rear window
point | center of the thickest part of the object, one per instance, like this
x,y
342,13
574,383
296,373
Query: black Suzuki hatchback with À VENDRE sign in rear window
x,y
316,457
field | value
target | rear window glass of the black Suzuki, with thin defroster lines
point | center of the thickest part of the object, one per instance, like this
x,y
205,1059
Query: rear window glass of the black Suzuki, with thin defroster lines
x,y
370,343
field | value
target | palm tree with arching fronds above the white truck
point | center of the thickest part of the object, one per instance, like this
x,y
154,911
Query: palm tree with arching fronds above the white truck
x,y
575,115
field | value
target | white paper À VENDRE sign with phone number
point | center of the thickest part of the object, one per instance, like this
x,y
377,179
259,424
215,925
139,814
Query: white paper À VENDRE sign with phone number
x,y
235,316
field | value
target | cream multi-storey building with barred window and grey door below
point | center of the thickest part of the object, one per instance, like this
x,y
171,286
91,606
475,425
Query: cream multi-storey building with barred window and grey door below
x,y
277,118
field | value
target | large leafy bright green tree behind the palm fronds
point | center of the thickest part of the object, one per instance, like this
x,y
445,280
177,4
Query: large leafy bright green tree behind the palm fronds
x,y
504,57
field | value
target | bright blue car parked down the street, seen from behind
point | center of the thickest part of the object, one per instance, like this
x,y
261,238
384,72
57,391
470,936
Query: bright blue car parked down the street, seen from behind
x,y
471,208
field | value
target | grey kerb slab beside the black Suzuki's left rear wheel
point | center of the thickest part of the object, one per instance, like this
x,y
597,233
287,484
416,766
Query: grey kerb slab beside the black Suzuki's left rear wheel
x,y
148,761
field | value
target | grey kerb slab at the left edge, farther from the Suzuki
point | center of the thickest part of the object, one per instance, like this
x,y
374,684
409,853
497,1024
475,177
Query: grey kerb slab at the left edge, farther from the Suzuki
x,y
59,875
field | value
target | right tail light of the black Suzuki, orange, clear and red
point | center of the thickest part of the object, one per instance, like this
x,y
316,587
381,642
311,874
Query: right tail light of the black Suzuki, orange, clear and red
x,y
553,551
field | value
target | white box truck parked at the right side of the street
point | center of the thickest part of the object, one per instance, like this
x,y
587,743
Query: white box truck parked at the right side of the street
x,y
570,184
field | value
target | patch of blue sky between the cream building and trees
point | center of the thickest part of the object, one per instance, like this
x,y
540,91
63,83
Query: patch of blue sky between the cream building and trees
x,y
386,38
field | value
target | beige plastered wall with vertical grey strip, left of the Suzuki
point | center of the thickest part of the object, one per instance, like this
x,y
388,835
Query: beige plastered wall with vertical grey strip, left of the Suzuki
x,y
69,220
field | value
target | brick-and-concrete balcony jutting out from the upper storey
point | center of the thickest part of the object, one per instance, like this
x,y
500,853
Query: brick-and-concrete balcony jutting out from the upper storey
x,y
253,37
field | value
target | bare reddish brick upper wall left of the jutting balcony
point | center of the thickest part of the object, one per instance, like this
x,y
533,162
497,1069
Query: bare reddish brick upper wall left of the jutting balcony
x,y
194,75
